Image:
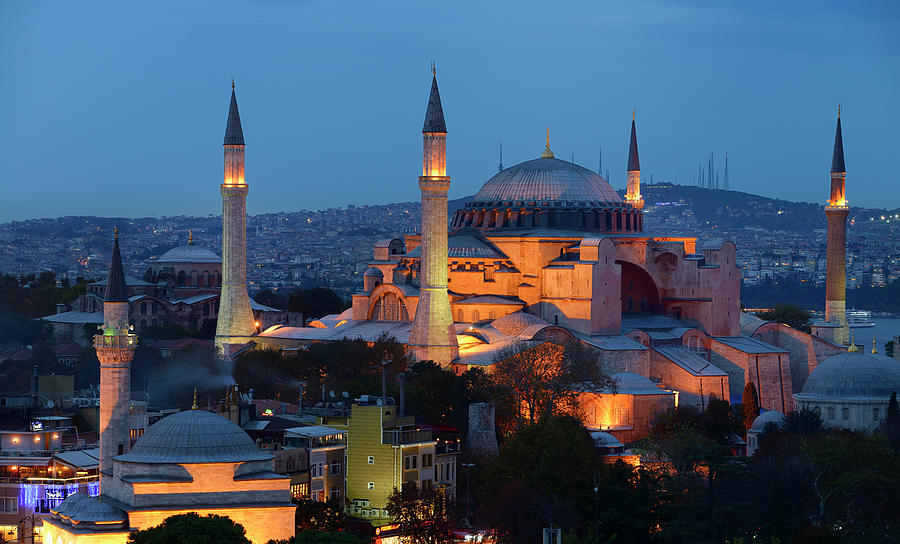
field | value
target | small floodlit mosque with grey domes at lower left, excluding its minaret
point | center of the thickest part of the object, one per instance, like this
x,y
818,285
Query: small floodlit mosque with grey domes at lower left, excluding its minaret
x,y
192,461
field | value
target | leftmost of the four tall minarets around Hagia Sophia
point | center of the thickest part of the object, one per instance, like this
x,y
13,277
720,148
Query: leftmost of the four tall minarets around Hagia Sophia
x,y
235,316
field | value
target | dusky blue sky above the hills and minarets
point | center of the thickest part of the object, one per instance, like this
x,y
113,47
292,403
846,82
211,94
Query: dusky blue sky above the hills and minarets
x,y
119,108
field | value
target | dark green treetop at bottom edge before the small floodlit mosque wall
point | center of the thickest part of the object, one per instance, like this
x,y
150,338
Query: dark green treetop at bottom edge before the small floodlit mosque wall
x,y
191,528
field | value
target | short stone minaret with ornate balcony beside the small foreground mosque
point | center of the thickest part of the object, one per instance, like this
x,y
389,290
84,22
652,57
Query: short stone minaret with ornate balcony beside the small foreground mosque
x,y
115,350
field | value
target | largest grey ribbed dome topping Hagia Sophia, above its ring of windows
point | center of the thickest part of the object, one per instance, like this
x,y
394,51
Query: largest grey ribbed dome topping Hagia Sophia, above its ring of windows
x,y
547,179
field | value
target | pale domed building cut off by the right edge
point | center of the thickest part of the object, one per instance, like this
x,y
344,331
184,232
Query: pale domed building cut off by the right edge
x,y
851,390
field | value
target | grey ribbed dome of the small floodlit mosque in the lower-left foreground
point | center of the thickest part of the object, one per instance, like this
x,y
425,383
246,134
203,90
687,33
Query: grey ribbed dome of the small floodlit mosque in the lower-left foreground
x,y
194,436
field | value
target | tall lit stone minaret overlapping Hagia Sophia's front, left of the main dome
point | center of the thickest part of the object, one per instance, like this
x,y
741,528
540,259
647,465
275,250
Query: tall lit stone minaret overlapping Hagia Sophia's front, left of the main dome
x,y
433,337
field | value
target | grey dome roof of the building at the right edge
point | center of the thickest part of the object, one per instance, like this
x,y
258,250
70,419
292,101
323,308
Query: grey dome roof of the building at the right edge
x,y
853,374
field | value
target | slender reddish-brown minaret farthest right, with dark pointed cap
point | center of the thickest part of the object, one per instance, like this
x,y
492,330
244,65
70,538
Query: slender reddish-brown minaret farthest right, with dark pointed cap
x,y
836,257
